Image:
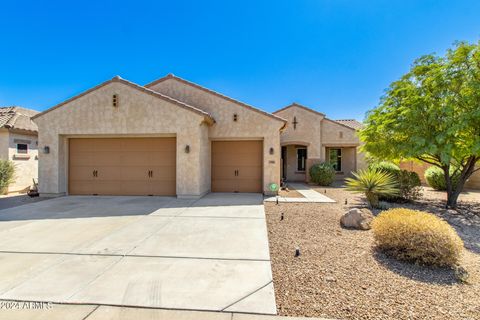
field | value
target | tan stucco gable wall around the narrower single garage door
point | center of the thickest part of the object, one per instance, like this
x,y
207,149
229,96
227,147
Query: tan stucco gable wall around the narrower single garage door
x,y
251,125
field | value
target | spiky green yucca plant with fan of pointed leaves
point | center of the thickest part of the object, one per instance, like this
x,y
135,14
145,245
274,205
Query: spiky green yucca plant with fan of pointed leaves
x,y
373,183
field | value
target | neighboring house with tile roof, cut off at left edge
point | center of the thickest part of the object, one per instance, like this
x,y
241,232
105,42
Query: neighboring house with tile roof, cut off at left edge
x,y
19,144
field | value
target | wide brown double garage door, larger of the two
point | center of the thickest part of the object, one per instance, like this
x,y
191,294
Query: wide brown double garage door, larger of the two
x,y
122,166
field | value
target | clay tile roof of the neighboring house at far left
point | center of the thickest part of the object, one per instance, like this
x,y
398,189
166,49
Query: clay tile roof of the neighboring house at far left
x,y
17,118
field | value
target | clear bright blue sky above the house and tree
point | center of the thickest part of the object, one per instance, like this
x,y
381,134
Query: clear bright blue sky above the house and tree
x,y
334,56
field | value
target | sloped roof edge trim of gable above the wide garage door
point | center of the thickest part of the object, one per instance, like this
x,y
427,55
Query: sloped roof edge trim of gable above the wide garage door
x,y
208,118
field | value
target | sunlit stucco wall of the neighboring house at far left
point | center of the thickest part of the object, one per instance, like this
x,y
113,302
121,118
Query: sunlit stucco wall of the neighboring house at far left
x,y
26,166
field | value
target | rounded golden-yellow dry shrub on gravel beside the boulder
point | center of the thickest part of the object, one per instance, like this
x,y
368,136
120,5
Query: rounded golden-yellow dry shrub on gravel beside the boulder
x,y
417,236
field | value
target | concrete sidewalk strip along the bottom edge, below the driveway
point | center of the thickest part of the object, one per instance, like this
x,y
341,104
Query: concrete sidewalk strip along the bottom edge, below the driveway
x,y
96,312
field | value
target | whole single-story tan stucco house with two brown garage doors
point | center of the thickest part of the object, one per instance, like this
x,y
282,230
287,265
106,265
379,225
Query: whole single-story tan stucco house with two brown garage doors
x,y
174,137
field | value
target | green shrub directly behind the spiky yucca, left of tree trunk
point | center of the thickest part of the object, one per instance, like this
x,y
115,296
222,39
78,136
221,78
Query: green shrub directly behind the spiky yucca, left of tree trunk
x,y
408,182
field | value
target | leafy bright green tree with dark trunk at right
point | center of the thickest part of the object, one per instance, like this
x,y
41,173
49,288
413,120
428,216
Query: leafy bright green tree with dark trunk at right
x,y
432,114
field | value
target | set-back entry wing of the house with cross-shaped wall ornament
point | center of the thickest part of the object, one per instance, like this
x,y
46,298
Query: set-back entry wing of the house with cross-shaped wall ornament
x,y
312,138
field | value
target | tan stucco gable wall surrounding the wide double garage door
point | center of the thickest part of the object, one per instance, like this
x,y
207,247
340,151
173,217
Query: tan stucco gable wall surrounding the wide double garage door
x,y
138,114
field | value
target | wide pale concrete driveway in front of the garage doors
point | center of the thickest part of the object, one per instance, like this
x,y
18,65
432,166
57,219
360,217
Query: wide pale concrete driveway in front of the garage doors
x,y
207,254
